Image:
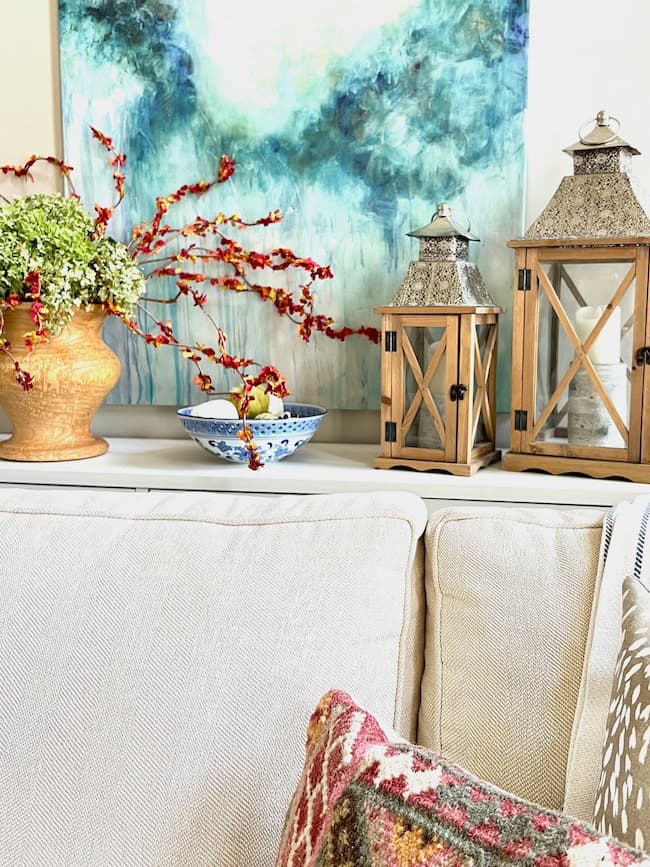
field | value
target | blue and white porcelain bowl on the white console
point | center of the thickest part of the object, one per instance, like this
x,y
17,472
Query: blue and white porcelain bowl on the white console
x,y
275,438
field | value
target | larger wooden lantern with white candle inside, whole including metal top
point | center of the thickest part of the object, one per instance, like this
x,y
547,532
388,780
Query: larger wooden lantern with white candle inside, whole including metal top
x,y
581,321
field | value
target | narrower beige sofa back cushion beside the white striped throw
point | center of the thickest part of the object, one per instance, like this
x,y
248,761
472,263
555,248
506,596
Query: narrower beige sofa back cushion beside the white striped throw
x,y
509,595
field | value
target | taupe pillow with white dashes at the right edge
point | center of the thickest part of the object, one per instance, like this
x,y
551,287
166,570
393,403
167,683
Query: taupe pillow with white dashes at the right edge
x,y
623,796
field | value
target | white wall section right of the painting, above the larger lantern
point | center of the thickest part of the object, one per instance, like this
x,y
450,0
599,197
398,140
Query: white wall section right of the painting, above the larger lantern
x,y
584,55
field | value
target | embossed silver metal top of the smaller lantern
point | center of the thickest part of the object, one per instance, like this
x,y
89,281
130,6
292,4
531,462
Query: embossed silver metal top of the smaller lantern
x,y
443,275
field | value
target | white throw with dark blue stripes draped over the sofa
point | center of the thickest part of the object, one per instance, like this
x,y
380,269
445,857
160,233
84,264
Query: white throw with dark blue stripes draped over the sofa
x,y
624,551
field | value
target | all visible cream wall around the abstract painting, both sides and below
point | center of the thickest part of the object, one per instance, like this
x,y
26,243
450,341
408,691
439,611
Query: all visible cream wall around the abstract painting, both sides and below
x,y
584,55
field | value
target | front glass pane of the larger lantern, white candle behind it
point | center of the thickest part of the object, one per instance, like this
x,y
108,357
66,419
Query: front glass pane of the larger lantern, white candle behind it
x,y
576,403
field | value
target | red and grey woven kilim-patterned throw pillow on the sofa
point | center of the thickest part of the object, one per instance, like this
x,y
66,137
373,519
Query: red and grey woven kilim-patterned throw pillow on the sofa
x,y
365,800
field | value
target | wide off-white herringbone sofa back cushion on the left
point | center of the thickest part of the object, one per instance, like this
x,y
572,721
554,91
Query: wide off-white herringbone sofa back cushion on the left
x,y
159,654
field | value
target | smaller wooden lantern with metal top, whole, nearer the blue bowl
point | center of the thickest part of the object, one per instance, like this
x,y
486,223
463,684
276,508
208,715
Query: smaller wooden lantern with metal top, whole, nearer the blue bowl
x,y
438,375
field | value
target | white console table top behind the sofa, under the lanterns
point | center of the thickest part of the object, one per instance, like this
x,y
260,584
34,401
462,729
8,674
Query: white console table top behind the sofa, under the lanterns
x,y
178,464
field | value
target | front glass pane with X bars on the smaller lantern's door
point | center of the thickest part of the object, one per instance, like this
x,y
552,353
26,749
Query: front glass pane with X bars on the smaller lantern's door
x,y
425,387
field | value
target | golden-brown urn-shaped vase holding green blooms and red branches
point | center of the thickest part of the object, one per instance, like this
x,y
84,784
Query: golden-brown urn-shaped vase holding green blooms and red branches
x,y
72,373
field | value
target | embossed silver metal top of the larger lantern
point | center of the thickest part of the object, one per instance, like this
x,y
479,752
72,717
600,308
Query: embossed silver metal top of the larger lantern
x,y
601,199
